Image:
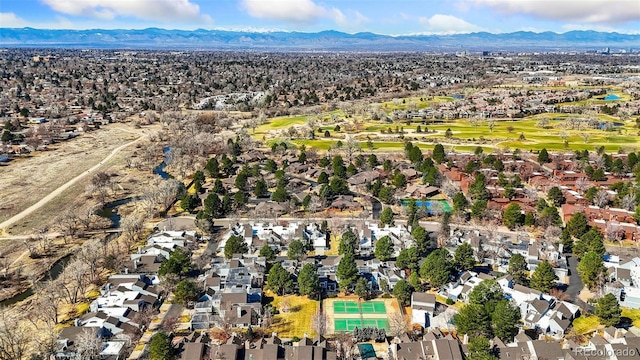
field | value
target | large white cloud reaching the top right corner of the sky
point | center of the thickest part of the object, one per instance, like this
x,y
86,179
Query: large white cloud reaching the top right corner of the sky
x,y
587,11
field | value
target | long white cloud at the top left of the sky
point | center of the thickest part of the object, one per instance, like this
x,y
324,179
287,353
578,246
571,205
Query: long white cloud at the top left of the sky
x,y
157,10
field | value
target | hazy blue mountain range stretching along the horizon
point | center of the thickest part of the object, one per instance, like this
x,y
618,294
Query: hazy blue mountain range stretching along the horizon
x,y
155,38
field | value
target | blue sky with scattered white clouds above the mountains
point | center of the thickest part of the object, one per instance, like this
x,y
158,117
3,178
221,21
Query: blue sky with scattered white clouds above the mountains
x,y
390,17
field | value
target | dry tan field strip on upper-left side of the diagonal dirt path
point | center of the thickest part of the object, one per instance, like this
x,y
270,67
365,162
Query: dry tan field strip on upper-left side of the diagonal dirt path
x,y
26,181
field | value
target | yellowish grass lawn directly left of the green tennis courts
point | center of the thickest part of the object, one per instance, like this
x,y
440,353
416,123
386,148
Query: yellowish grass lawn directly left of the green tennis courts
x,y
297,321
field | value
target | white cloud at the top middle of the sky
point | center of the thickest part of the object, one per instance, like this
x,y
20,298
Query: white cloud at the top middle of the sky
x,y
292,11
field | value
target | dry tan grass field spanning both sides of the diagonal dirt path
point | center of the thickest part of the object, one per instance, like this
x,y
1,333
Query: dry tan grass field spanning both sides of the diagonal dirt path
x,y
26,181
